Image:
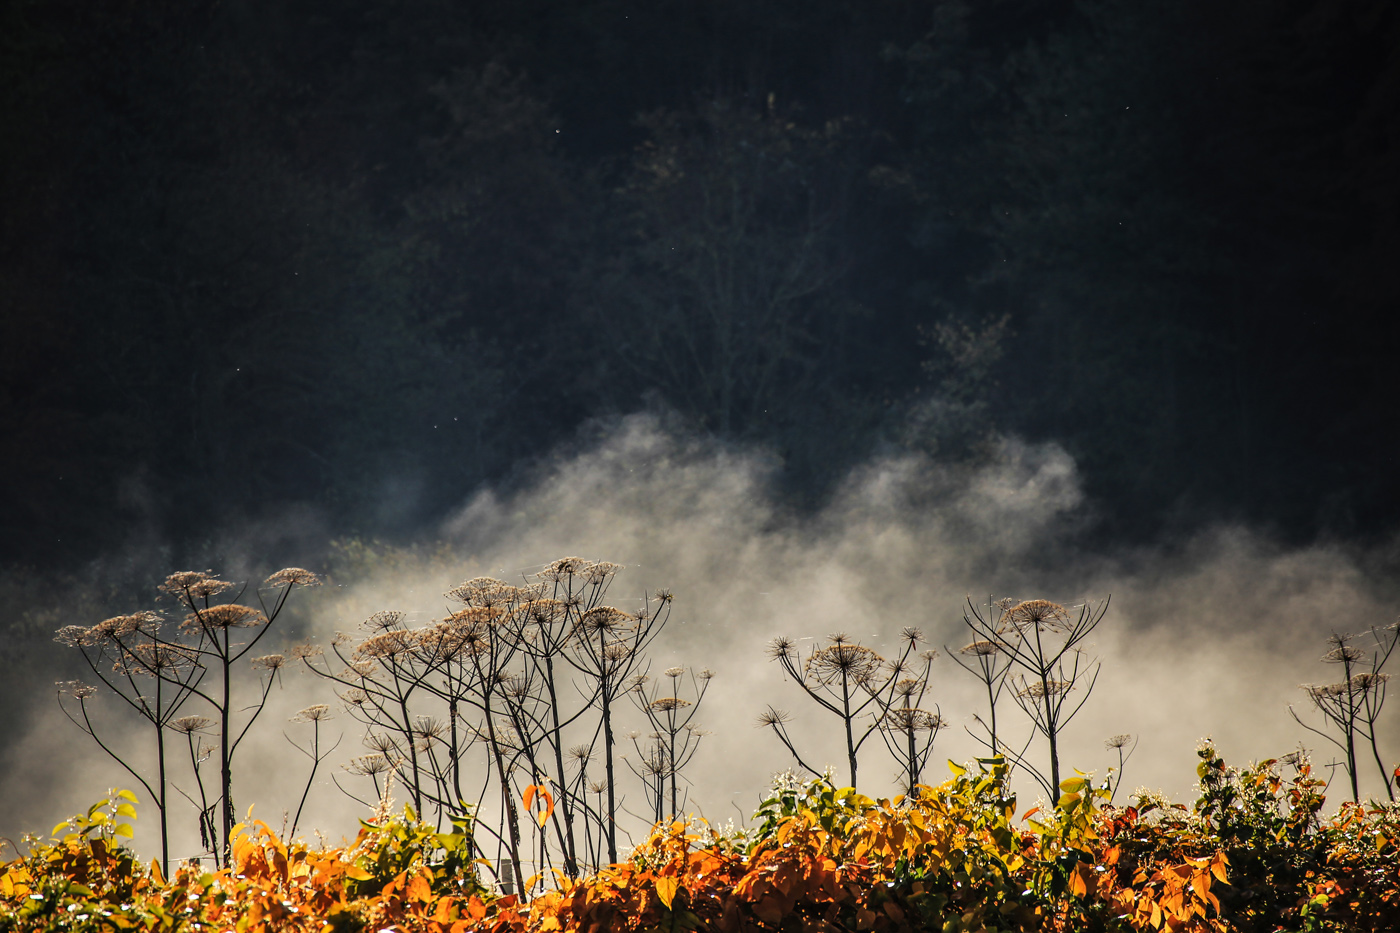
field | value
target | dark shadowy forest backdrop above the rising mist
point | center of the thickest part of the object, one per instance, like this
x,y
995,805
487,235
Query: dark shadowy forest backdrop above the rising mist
x,y
367,256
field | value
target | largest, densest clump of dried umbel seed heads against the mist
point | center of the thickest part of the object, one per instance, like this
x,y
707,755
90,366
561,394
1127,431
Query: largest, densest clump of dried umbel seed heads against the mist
x,y
492,675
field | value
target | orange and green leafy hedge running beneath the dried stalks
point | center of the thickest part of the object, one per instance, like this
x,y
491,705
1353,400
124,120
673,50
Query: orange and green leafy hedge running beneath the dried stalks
x,y
1255,852
